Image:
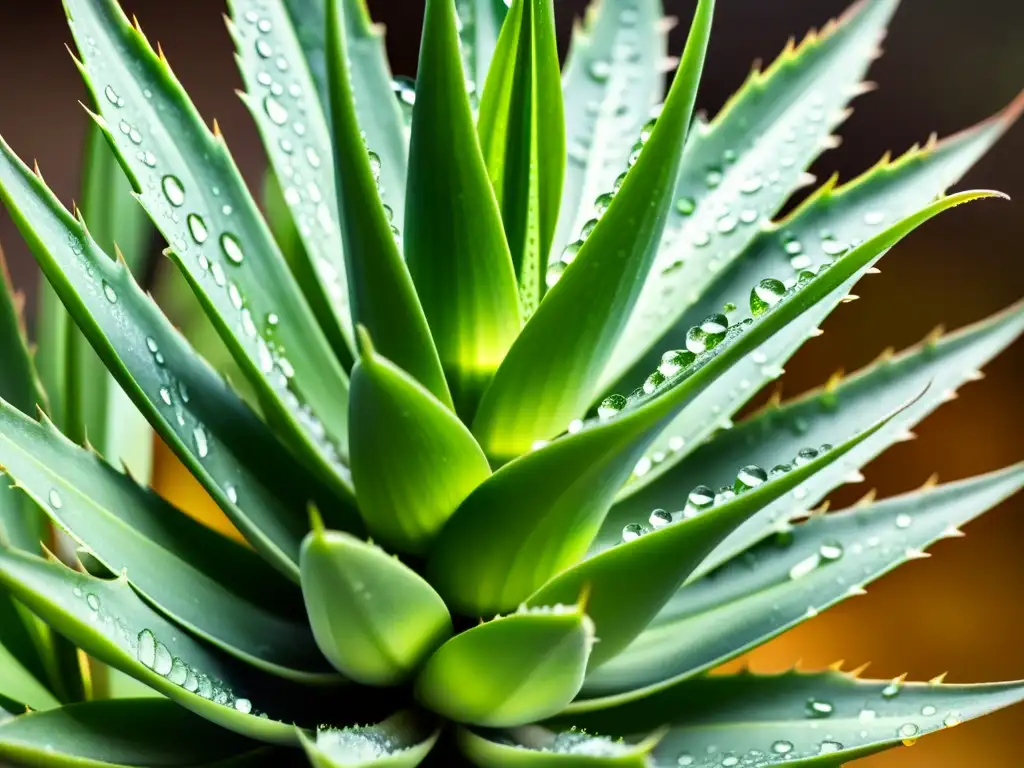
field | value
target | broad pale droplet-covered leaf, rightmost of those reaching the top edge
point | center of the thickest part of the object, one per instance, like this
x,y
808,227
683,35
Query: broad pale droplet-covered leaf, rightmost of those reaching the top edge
x,y
743,167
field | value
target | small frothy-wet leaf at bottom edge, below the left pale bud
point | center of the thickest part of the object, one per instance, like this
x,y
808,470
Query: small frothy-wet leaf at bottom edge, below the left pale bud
x,y
401,742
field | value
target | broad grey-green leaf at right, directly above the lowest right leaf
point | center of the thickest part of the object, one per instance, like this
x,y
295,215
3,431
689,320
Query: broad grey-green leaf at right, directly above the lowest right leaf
x,y
781,584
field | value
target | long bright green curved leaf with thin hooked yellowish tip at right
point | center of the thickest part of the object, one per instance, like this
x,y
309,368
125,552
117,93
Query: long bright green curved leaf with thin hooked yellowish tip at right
x,y
485,563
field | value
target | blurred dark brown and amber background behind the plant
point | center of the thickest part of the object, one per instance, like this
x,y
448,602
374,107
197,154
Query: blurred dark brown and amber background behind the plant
x,y
949,64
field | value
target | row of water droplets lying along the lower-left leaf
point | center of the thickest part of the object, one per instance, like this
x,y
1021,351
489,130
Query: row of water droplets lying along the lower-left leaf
x,y
156,657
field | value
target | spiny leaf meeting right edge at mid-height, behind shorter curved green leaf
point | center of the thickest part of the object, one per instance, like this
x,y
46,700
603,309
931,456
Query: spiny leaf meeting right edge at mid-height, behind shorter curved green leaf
x,y
942,365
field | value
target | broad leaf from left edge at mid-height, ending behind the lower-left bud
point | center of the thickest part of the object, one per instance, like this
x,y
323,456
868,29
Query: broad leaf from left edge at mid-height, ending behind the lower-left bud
x,y
209,584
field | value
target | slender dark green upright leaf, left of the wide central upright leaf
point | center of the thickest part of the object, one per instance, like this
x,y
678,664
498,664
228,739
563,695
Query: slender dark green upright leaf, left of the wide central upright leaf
x,y
380,288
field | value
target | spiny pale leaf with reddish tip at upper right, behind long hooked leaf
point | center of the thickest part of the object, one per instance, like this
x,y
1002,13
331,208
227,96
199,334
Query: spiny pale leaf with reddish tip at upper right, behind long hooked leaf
x,y
849,215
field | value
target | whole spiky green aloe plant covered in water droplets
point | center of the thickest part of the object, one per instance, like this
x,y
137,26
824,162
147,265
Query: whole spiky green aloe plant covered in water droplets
x,y
486,348
